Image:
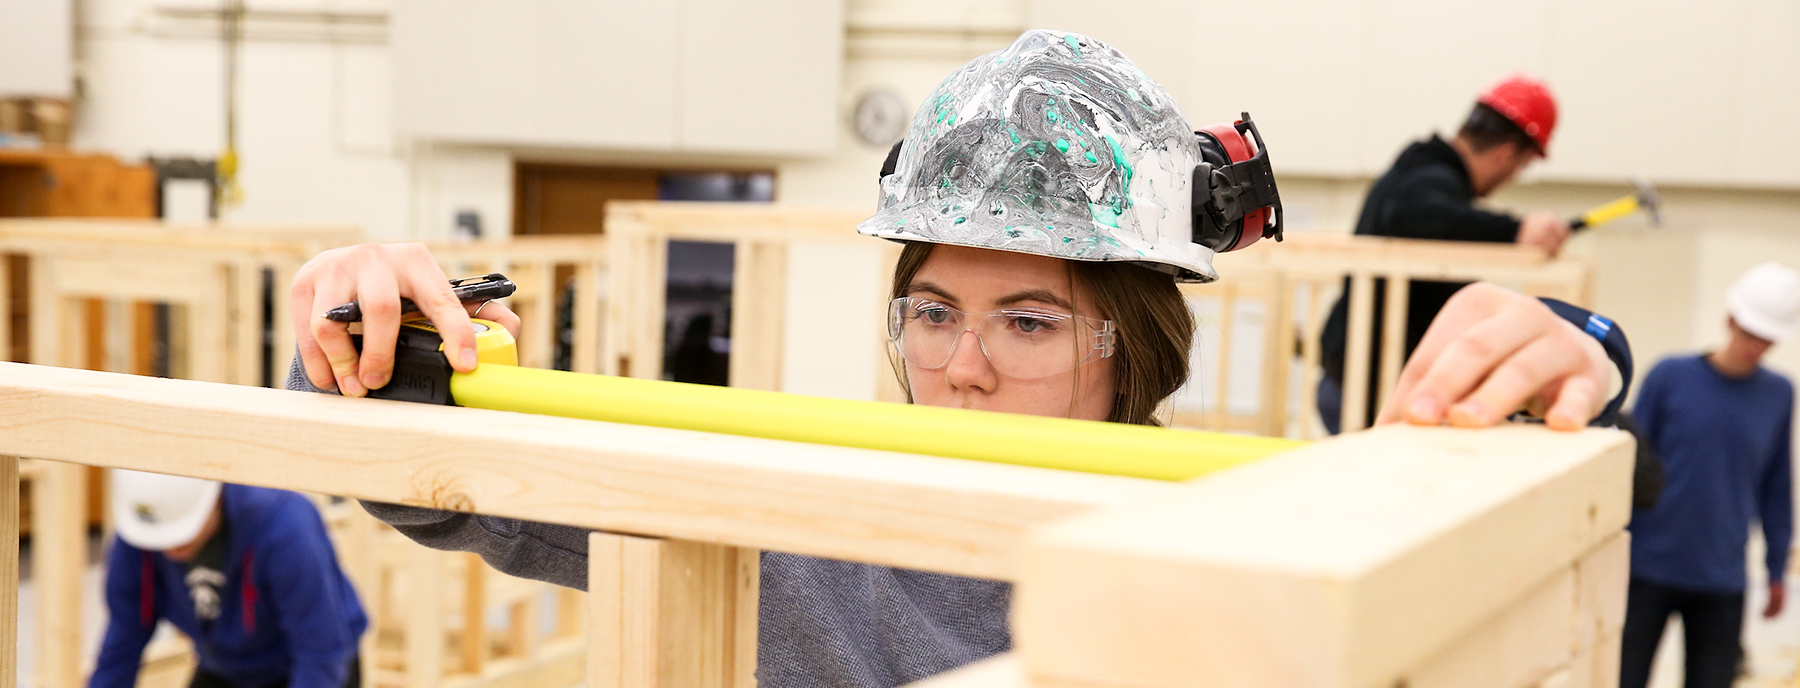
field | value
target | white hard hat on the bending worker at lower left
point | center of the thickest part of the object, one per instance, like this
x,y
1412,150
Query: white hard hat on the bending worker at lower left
x,y
159,512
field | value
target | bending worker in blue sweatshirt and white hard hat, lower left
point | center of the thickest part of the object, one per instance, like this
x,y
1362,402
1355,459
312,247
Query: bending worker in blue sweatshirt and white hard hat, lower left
x,y
249,575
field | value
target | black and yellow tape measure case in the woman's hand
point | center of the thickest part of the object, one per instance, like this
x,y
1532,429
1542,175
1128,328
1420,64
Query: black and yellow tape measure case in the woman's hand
x,y
422,374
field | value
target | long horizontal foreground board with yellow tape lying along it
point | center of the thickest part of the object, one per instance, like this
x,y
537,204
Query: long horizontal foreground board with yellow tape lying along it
x,y
861,505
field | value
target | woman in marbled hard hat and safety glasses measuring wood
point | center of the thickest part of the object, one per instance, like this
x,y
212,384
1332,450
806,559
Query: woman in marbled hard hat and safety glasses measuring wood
x,y
1050,197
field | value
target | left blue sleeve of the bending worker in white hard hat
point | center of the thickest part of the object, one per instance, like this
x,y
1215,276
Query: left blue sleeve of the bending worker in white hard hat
x,y
127,626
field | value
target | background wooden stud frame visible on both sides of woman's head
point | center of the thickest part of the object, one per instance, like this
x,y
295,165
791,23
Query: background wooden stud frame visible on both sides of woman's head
x,y
1291,284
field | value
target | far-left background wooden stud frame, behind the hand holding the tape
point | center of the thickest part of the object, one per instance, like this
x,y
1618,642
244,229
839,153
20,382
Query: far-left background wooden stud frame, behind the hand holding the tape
x,y
215,276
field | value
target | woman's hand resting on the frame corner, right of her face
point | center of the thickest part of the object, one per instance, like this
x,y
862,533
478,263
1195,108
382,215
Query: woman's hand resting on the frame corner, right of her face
x,y
1493,352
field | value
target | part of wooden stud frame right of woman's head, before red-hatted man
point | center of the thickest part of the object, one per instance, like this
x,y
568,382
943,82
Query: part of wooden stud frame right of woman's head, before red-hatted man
x,y
1293,285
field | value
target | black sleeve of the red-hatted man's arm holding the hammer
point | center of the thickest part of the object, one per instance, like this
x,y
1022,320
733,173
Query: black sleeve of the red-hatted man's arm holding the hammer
x,y
1428,206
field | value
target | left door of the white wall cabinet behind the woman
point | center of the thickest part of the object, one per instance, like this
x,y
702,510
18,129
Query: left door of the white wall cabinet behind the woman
x,y
537,73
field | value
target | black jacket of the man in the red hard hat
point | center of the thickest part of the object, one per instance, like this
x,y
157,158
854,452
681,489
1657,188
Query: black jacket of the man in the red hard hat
x,y
1426,195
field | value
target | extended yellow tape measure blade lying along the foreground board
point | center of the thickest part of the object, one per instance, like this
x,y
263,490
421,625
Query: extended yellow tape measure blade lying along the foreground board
x,y
1095,448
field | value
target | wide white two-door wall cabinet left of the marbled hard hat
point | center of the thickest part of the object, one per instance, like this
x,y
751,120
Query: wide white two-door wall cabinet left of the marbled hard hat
x,y
705,77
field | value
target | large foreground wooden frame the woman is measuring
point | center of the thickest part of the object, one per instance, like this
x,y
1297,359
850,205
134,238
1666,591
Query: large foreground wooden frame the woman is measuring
x,y
1399,556
